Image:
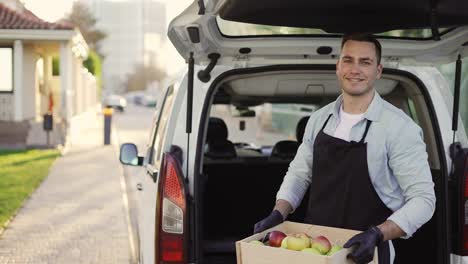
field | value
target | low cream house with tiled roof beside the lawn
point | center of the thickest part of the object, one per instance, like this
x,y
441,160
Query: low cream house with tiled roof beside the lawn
x,y
28,87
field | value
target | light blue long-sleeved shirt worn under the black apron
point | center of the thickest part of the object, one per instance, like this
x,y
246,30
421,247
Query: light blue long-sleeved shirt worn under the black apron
x,y
396,157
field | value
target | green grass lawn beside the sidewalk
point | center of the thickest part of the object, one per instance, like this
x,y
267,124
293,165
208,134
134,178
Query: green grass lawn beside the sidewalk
x,y
21,172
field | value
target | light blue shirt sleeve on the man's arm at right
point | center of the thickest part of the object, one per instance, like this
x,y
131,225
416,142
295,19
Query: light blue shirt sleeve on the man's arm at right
x,y
408,161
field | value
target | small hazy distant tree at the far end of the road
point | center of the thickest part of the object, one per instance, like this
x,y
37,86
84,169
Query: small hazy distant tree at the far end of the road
x,y
142,76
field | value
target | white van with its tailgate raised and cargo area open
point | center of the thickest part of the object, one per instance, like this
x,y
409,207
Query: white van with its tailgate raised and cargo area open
x,y
225,131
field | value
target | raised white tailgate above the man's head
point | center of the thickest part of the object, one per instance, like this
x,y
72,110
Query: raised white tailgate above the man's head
x,y
419,31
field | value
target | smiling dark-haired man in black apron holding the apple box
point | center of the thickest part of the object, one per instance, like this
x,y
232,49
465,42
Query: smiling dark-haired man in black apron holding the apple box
x,y
364,161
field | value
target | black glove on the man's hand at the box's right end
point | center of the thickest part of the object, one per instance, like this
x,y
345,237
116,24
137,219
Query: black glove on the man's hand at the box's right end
x,y
365,245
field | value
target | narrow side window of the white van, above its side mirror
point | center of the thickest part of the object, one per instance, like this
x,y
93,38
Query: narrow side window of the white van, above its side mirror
x,y
160,131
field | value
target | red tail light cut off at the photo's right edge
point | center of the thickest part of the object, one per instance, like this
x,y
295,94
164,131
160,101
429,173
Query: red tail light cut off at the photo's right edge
x,y
464,209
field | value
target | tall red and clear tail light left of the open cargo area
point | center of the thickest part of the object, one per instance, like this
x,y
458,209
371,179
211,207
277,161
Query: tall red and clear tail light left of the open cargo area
x,y
171,214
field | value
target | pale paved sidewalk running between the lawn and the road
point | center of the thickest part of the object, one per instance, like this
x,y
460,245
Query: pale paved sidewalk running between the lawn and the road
x,y
77,215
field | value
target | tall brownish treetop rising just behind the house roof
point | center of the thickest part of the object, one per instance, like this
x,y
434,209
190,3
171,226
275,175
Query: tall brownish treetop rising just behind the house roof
x,y
81,17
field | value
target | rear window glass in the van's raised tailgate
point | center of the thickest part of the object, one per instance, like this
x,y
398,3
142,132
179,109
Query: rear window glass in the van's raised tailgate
x,y
238,29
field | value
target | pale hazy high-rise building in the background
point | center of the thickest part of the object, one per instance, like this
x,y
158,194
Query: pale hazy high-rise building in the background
x,y
136,31
